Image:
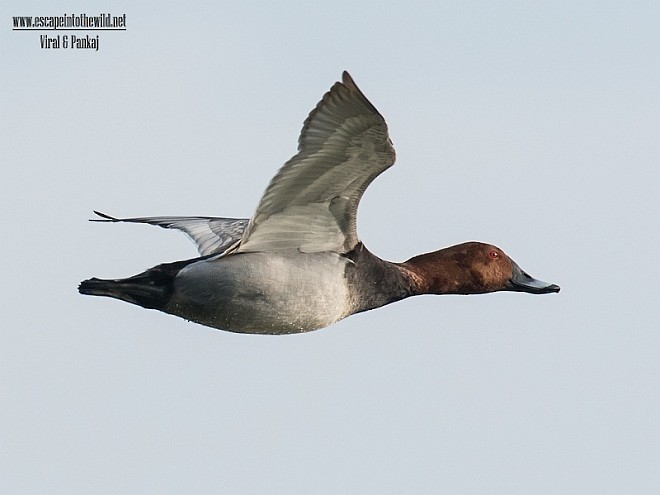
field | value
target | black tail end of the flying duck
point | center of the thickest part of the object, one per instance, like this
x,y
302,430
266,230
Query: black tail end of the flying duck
x,y
151,289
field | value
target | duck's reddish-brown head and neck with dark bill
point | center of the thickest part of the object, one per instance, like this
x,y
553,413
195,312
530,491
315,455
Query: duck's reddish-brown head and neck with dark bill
x,y
471,268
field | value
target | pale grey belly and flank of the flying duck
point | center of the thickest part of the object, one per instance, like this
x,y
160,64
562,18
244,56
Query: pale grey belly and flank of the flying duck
x,y
268,293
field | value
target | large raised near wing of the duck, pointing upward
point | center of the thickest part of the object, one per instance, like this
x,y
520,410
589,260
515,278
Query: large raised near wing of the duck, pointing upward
x,y
311,204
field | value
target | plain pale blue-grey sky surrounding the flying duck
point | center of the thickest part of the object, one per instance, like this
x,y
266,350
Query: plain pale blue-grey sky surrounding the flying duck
x,y
531,125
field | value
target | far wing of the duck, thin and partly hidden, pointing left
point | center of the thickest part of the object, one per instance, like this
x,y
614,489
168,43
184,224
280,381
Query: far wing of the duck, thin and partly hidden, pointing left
x,y
213,235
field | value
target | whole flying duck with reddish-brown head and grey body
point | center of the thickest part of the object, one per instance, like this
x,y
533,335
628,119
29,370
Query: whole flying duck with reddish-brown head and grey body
x,y
298,265
